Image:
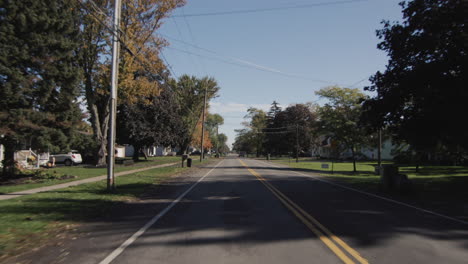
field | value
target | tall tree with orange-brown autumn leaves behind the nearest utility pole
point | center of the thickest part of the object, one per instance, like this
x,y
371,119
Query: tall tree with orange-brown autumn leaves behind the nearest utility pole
x,y
141,69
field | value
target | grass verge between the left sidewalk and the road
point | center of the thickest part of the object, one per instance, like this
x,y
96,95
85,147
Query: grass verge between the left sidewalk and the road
x,y
28,220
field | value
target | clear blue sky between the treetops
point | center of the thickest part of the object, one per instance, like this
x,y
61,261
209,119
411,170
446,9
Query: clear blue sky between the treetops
x,y
304,49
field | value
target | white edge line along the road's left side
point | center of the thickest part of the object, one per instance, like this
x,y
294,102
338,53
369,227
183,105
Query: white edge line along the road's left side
x,y
142,230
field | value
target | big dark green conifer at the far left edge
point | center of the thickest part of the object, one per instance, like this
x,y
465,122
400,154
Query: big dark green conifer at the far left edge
x,y
38,74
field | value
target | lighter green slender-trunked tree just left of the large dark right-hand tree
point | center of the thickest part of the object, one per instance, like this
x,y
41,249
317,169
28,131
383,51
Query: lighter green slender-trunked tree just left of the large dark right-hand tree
x,y
340,117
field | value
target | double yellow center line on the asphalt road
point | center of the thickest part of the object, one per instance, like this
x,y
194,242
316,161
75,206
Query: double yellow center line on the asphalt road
x,y
326,236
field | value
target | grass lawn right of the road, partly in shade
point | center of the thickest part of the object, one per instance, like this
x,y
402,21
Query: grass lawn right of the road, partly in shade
x,y
440,187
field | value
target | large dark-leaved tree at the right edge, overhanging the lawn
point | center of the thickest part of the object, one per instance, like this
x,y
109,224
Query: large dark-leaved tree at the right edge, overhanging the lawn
x,y
422,91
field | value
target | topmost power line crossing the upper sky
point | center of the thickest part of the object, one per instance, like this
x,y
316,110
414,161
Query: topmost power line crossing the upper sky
x,y
246,11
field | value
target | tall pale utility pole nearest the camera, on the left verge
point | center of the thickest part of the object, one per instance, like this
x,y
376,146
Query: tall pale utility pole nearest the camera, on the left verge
x,y
113,97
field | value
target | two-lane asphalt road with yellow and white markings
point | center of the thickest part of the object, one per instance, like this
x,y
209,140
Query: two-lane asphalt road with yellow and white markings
x,y
248,211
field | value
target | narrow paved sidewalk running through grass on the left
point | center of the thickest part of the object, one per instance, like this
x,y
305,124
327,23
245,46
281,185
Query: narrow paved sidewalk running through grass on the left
x,y
74,183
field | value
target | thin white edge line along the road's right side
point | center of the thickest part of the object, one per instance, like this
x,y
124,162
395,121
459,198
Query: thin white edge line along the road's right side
x,y
374,195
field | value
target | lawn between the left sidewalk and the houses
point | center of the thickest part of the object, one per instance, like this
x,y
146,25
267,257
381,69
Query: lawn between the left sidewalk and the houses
x,y
83,172
